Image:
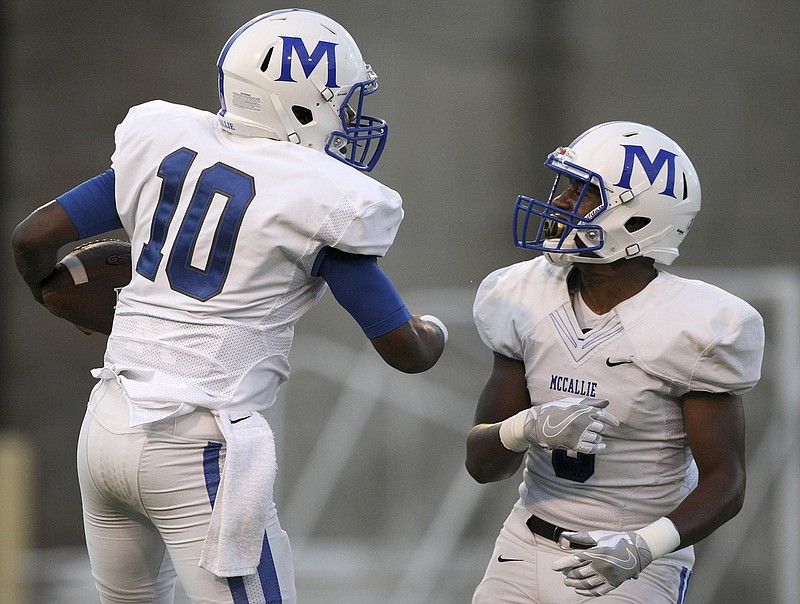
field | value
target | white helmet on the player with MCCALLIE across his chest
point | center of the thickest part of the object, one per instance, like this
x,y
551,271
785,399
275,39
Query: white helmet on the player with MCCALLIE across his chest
x,y
650,196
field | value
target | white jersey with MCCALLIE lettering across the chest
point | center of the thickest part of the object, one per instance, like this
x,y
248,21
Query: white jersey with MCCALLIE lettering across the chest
x,y
675,336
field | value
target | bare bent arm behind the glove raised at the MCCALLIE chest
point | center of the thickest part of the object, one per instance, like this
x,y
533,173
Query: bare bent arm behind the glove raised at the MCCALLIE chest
x,y
504,395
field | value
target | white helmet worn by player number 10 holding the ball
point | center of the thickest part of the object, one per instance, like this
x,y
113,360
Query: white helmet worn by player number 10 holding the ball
x,y
296,75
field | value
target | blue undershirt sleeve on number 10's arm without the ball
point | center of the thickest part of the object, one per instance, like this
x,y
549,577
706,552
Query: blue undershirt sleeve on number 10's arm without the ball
x,y
363,290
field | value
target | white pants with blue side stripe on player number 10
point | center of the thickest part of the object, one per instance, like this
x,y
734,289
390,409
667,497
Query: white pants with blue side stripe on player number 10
x,y
146,509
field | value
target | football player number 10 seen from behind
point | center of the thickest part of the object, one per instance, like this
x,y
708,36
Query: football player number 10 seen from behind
x,y
238,222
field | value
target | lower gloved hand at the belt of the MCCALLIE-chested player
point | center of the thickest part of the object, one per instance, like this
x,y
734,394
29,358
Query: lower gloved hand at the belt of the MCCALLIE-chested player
x,y
611,559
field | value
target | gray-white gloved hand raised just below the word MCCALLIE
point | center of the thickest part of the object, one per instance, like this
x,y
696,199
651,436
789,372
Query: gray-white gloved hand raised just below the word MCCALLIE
x,y
570,423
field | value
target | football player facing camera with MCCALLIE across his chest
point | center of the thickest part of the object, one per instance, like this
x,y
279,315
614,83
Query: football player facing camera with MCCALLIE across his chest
x,y
617,385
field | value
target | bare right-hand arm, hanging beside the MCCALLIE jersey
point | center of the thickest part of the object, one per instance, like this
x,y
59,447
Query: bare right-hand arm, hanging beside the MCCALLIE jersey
x,y
715,427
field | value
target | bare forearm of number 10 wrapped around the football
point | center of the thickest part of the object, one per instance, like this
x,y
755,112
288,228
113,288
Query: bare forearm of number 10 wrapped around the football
x,y
36,243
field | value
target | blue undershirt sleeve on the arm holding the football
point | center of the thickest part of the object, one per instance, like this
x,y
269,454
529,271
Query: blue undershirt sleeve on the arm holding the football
x,y
92,205
